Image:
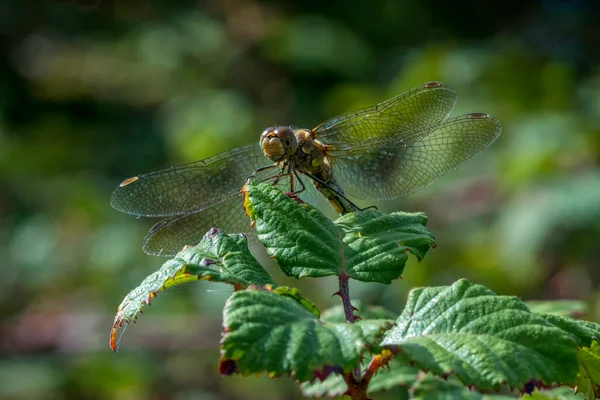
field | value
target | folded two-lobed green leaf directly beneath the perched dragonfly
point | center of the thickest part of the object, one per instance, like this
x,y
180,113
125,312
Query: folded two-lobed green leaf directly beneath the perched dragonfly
x,y
367,246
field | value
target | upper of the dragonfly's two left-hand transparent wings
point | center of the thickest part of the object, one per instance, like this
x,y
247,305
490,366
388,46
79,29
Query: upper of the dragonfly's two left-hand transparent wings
x,y
190,187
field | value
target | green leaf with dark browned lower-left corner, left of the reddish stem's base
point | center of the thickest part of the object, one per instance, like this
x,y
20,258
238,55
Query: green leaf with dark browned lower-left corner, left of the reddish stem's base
x,y
266,332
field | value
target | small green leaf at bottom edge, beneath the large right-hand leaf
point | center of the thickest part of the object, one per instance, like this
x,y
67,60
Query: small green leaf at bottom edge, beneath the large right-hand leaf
x,y
433,388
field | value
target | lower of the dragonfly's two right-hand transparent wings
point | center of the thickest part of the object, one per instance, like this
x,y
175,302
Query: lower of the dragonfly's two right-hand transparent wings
x,y
385,168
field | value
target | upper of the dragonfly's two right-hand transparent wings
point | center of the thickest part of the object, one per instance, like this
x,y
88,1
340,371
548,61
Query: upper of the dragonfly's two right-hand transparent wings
x,y
406,117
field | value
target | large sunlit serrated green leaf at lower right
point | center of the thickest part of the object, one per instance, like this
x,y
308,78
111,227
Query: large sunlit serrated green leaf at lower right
x,y
483,339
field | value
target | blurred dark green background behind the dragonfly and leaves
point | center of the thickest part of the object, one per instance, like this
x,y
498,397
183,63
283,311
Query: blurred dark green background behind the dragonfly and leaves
x,y
95,91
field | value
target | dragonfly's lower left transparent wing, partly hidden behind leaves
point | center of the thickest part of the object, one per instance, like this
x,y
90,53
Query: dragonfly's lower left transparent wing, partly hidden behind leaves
x,y
170,235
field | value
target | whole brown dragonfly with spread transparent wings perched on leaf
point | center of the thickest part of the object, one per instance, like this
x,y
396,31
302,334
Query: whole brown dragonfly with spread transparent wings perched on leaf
x,y
382,152
